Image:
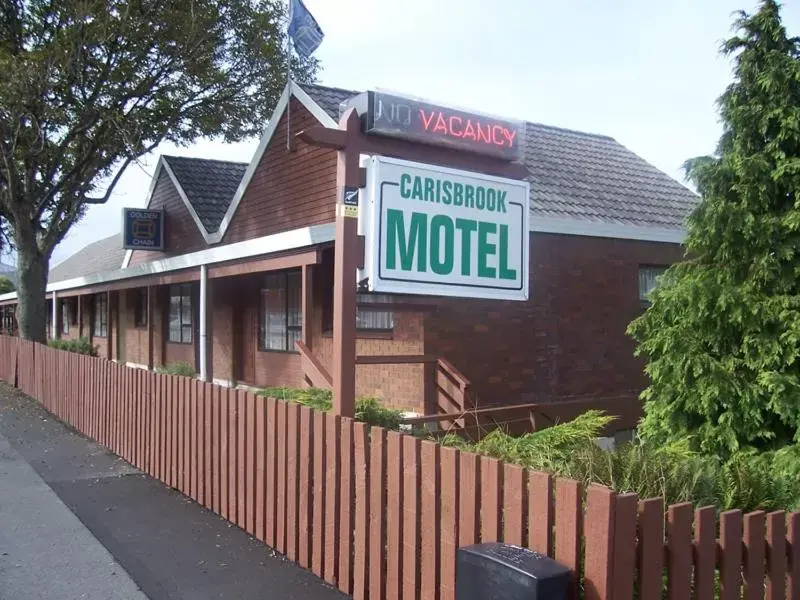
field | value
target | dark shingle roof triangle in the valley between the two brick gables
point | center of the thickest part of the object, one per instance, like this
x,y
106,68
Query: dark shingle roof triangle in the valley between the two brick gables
x,y
209,185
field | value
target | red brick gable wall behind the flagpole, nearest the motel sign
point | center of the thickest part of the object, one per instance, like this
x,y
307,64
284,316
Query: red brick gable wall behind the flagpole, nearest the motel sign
x,y
289,189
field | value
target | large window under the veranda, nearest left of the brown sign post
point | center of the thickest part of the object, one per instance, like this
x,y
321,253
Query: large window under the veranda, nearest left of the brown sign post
x,y
281,312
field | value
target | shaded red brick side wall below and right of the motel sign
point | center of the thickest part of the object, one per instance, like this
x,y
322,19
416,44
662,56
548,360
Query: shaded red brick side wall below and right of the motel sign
x,y
569,339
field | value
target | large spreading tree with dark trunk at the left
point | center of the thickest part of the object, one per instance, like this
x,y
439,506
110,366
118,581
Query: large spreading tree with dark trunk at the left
x,y
90,86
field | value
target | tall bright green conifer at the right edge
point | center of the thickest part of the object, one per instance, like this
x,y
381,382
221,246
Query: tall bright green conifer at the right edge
x,y
722,336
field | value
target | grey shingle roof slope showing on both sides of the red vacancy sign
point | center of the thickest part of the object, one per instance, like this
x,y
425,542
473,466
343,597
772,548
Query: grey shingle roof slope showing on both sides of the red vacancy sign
x,y
582,176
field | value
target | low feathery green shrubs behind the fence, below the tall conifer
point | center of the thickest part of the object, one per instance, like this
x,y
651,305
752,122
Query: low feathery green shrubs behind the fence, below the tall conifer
x,y
749,480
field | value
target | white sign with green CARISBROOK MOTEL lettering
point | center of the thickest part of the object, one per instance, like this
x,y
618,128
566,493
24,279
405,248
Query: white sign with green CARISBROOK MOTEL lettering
x,y
444,232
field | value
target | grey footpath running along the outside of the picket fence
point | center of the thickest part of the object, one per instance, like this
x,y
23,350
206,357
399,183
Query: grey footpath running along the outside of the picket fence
x,y
77,522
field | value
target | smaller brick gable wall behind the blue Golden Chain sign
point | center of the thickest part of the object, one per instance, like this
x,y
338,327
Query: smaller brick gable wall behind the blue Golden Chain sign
x,y
181,232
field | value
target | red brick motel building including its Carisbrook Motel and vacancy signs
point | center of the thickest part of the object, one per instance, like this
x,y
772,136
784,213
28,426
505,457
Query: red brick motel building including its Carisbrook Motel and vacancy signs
x,y
517,290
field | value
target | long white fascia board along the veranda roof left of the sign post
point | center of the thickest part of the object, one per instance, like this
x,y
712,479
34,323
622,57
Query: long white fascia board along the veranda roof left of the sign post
x,y
278,242
